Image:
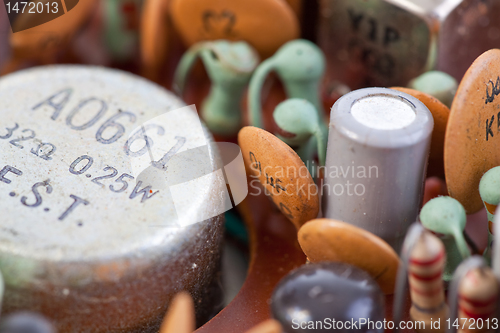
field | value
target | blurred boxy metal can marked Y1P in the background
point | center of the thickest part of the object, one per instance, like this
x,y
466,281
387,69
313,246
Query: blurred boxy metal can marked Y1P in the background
x,y
389,42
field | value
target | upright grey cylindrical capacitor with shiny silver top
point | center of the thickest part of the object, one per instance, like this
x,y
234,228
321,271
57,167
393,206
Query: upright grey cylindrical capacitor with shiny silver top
x,y
376,161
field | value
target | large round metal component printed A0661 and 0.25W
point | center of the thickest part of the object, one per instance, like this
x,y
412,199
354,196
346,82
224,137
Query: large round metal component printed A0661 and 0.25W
x,y
83,240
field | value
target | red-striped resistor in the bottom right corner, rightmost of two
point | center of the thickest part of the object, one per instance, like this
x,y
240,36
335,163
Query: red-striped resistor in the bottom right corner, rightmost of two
x,y
478,293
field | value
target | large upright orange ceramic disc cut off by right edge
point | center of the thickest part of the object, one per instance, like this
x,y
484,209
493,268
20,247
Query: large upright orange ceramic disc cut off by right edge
x,y
472,141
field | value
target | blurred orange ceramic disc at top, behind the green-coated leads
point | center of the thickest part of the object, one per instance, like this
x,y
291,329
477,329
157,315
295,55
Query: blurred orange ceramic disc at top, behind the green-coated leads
x,y
199,20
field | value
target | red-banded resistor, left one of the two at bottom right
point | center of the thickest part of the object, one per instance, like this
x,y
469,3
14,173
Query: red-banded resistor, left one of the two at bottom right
x,y
425,273
